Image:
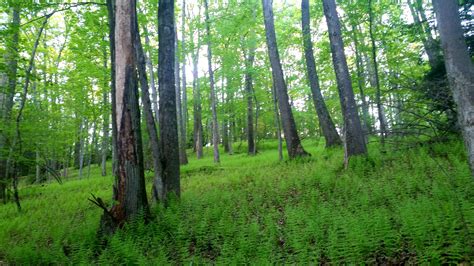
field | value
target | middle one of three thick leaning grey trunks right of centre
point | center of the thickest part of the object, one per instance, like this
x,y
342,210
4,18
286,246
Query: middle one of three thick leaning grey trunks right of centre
x,y
329,130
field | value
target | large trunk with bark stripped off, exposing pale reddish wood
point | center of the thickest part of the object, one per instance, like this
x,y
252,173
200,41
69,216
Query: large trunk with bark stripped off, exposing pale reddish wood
x,y
131,193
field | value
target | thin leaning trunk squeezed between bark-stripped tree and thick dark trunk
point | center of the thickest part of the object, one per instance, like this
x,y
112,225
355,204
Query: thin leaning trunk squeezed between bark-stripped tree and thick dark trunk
x,y
157,190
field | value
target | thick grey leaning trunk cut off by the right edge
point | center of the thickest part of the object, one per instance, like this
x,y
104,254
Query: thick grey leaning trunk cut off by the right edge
x,y
459,68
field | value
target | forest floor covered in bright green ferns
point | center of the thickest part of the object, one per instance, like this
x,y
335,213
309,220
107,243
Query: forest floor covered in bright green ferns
x,y
412,205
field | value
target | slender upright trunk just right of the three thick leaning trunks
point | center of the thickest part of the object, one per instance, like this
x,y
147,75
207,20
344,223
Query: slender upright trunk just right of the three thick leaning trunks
x,y
380,109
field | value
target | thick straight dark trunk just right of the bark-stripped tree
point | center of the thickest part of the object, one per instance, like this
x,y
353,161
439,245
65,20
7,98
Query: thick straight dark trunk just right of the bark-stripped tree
x,y
169,144
